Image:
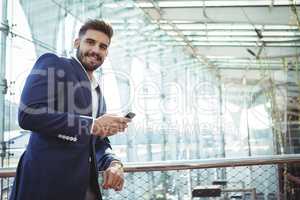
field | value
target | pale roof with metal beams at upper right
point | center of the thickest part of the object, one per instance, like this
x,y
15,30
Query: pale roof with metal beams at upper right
x,y
232,35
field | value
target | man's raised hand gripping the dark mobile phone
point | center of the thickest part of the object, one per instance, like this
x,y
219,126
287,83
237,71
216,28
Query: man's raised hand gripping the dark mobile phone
x,y
109,124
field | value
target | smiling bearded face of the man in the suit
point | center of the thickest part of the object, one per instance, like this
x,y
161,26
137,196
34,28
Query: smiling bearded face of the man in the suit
x,y
92,48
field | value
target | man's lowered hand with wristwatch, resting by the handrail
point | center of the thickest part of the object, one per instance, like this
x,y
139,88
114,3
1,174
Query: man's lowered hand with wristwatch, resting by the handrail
x,y
113,176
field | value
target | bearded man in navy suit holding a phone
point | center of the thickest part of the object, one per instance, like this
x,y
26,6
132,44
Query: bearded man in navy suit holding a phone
x,y
63,107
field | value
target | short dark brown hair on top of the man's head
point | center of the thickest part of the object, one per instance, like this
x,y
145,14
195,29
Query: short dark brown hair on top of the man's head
x,y
98,25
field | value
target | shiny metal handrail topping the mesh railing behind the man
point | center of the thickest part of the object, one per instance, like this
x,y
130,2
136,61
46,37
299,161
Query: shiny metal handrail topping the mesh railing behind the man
x,y
194,164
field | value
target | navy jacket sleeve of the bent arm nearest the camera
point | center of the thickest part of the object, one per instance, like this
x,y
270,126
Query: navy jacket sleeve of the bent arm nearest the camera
x,y
36,112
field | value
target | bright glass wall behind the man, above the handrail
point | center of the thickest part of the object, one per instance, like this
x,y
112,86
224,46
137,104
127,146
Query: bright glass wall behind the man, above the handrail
x,y
185,109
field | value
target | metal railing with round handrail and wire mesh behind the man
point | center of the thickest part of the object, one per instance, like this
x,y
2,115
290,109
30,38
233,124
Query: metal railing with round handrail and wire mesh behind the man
x,y
260,177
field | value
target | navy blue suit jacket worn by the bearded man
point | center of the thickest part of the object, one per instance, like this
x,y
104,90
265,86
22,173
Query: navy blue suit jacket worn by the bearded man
x,y
61,158
